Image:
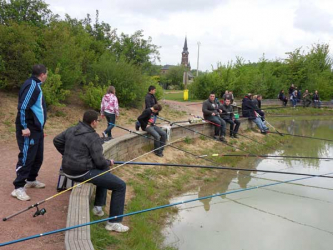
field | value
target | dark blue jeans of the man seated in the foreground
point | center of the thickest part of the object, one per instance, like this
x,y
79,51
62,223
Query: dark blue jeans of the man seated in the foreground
x,y
104,183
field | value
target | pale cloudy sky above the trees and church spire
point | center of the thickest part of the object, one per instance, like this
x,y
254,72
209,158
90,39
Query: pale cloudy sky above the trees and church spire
x,y
225,28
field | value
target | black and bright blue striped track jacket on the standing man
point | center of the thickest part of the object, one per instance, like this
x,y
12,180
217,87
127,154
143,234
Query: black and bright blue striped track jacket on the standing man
x,y
31,108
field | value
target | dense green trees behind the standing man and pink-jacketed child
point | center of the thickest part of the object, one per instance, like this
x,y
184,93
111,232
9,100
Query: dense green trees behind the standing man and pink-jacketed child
x,y
79,54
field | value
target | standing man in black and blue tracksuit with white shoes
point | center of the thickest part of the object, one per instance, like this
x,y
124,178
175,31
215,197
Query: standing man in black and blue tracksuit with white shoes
x,y
30,121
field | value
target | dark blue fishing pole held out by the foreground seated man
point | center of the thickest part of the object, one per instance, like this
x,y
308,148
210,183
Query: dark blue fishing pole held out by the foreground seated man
x,y
219,168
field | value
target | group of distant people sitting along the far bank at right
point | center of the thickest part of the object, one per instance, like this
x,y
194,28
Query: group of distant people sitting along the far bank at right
x,y
295,97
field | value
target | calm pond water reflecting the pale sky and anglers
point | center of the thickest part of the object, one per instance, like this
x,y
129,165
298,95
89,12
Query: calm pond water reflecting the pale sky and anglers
x,y
291,216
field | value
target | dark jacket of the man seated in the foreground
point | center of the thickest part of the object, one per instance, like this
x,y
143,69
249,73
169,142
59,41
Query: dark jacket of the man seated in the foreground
x,y
81,150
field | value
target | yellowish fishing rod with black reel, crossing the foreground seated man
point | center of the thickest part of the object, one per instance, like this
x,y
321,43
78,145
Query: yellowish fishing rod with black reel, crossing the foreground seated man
x,y
43,210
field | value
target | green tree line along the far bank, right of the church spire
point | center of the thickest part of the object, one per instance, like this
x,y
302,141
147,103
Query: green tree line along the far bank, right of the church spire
x,y
310,70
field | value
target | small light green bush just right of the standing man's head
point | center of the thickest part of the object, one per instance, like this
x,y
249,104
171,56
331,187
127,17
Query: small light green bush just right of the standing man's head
x,y
52,89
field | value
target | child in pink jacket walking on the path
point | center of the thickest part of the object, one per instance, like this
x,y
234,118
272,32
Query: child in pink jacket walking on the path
x,y
109,109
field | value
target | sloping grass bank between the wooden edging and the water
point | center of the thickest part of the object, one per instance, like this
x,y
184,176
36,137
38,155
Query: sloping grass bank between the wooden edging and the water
x,y
151,186
